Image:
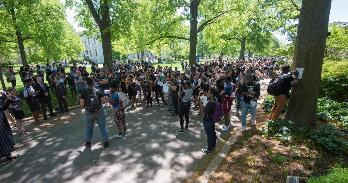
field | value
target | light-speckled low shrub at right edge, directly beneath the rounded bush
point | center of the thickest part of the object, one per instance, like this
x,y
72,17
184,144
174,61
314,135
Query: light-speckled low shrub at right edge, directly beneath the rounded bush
x,y
331,110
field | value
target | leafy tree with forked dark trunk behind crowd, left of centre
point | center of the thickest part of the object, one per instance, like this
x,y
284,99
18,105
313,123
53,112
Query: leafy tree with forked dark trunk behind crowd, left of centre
x,y
108,18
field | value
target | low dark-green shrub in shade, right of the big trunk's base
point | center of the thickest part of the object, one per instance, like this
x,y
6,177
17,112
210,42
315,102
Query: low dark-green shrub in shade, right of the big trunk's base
x,y
330,139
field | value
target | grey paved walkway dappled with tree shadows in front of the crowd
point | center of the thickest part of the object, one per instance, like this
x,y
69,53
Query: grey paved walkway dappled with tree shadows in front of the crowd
x,y
151,152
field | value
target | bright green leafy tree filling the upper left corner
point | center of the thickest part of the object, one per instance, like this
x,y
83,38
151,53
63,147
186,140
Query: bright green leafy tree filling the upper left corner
x,y
38,29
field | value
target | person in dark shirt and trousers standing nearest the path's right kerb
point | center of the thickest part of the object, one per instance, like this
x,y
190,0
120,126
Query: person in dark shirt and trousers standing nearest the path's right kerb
x,y
208,122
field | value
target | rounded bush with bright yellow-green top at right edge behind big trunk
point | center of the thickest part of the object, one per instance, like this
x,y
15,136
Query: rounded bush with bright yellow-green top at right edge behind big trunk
x,y
334,80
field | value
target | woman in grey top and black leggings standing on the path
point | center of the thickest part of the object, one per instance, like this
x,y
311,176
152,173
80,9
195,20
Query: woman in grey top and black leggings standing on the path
x,y
184,106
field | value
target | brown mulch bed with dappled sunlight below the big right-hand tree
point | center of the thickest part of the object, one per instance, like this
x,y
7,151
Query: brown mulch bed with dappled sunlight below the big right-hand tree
x,y
255,158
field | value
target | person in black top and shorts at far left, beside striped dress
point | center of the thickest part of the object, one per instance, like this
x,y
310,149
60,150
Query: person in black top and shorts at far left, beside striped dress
x,y
16,109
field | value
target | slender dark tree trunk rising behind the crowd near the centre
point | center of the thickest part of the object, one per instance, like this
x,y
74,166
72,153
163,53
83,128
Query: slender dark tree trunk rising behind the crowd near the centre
x,y
193,31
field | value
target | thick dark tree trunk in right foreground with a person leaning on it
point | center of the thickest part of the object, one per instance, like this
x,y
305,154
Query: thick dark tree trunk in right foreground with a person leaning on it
x,y
309,52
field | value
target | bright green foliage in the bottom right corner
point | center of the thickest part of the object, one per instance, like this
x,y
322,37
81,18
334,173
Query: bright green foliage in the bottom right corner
x,y
336,175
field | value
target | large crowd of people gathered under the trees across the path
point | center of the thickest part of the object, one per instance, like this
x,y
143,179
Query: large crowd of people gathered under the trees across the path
x,y
210,88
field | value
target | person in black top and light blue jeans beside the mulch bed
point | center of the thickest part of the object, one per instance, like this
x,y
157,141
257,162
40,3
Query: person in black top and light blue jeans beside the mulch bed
x,y
251,92
